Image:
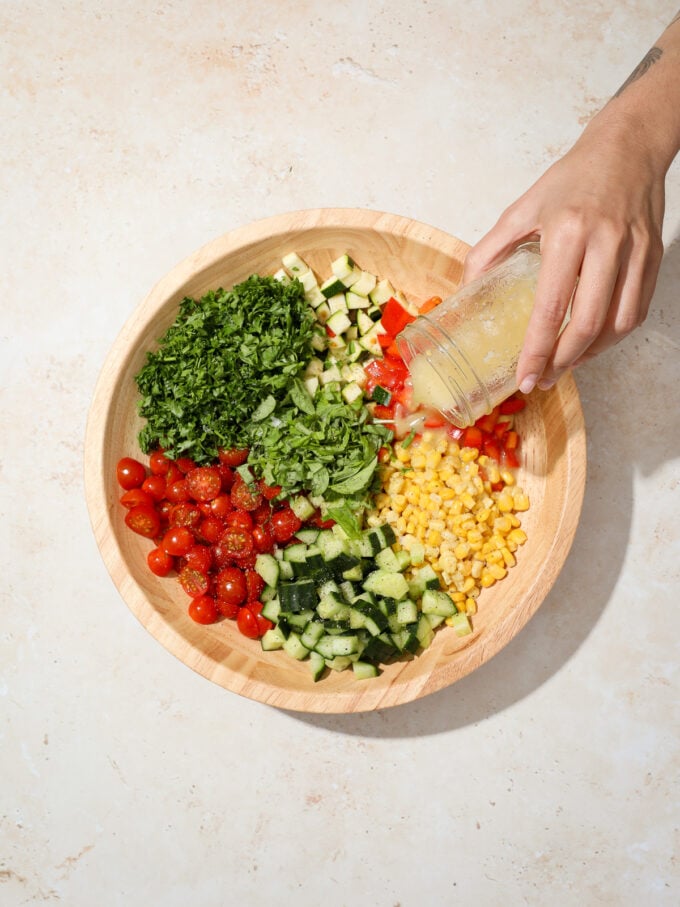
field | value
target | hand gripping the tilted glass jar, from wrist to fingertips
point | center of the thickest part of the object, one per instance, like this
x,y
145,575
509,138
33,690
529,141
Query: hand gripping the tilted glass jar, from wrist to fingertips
x,y
598,214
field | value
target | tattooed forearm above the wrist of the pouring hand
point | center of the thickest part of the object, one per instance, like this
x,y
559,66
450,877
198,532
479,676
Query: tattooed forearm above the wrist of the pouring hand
x,y
644,114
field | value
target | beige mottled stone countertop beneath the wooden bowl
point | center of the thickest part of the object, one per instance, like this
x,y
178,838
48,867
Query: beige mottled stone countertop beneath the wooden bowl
x,y
132,134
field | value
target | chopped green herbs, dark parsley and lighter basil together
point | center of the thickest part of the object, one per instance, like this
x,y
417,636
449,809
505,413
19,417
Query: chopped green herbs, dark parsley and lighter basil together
x,y
228,374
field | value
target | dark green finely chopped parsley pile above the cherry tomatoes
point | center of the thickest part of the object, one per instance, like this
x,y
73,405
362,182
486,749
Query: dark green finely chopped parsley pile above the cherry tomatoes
x,y
228,359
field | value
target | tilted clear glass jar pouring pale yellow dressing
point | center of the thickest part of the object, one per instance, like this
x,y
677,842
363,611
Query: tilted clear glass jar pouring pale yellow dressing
x,y
463,354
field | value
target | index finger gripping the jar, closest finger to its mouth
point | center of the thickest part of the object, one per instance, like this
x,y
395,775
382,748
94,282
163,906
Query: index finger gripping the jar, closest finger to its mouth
x,y
561,262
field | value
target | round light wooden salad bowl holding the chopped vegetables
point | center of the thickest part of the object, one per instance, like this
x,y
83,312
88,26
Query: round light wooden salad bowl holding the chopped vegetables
x,y
421,261
